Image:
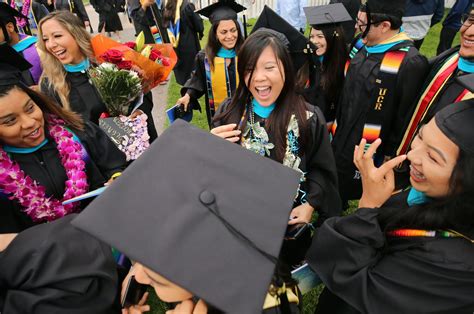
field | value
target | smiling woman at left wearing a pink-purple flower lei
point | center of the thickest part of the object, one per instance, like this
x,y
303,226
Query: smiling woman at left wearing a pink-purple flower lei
x,y
47,155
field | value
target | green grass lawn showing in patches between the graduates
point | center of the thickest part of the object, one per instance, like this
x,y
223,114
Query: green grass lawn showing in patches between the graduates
x,y
310,300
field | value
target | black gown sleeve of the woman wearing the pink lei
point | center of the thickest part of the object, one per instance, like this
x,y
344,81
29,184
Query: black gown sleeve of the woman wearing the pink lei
x,y
103,152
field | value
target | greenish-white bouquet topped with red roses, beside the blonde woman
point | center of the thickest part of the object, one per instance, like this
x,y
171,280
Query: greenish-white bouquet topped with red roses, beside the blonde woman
x,y
118,85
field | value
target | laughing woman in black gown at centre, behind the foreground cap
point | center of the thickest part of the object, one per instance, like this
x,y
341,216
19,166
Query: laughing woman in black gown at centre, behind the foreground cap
x,y
287,130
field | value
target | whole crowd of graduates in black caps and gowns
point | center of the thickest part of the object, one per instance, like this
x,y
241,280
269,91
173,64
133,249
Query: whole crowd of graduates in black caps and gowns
x,y
225,219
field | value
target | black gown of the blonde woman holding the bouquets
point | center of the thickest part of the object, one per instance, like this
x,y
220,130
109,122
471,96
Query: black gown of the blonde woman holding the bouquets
x,y
85,100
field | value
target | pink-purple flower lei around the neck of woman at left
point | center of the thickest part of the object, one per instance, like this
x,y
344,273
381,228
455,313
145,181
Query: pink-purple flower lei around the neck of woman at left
x,y
30,194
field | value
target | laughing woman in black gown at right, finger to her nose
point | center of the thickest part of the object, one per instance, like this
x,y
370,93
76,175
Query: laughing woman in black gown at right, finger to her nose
x,y
412,252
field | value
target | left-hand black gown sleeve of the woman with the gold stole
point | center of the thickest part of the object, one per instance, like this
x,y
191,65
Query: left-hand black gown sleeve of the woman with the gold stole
x,y
195,86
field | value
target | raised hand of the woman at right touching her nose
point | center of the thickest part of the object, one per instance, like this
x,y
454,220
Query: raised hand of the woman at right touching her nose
x,y
378,184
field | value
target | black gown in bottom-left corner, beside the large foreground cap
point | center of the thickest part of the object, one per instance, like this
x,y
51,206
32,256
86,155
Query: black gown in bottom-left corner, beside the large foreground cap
x,y
56,268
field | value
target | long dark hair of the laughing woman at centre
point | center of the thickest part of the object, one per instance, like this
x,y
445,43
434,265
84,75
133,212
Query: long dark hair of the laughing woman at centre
x,y
287,103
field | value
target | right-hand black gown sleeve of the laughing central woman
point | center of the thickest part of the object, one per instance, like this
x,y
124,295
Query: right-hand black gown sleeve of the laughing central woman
x,y
321,174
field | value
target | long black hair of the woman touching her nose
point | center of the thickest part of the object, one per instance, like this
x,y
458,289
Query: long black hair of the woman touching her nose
x,y
454,211
